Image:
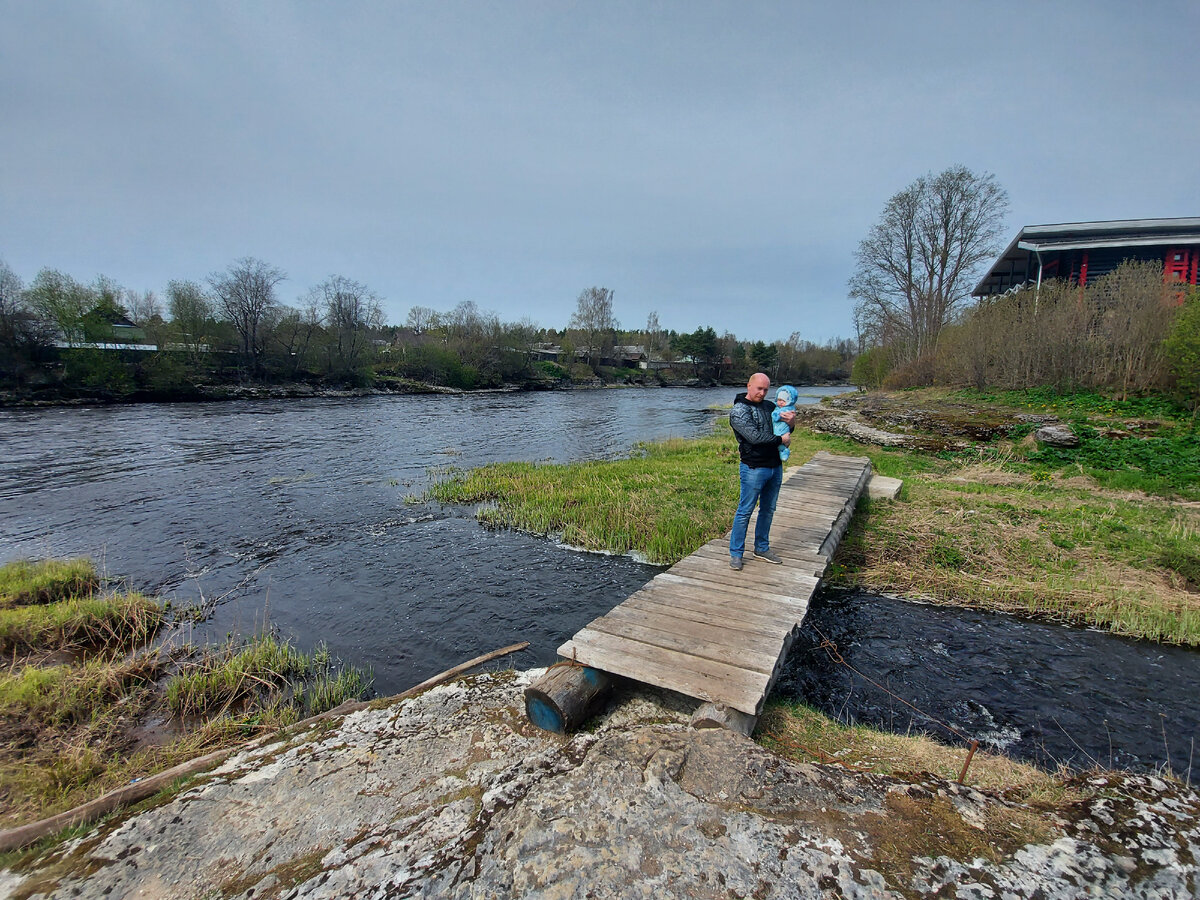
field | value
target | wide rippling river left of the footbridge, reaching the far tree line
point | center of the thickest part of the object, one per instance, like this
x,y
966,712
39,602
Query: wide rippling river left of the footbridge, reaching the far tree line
x,y
301,514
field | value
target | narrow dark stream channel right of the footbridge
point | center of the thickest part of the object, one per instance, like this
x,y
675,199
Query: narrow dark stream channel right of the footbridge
x,y
1052,694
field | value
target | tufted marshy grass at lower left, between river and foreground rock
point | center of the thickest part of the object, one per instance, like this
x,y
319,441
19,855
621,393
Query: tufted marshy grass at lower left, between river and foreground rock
x,y
71,733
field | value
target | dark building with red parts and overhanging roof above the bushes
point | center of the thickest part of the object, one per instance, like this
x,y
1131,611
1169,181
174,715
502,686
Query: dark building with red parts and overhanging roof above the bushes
x,y
1088,250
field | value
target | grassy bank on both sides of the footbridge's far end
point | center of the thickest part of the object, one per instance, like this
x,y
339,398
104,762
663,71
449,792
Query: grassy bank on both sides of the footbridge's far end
x,y
995,520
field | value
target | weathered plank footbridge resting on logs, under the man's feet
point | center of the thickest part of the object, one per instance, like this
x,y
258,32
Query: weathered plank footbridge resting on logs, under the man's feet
x,y
705,631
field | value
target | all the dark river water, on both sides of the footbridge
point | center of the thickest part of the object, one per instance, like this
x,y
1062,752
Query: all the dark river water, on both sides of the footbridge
x,y
305,517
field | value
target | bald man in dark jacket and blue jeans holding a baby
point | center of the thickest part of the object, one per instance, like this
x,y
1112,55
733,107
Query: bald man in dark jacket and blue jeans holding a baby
x,y
761,470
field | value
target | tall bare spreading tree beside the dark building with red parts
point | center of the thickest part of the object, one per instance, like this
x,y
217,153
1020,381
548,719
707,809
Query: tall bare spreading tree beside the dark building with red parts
x,y
915,268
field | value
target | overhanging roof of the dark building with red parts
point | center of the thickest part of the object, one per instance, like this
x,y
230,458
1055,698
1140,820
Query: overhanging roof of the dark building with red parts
x,y
1034,241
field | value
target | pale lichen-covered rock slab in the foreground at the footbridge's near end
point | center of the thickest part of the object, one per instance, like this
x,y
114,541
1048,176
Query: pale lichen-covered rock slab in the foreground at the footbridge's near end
x,y
455,795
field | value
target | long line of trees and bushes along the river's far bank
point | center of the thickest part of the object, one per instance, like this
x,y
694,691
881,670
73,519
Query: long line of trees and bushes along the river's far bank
x,y
100,338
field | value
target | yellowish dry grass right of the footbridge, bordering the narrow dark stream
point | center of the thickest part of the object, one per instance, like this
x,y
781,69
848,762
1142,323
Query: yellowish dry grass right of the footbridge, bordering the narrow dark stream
x,y
993,538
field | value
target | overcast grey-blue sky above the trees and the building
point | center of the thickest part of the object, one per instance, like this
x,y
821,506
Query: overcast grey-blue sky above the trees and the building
x,y
716,163
